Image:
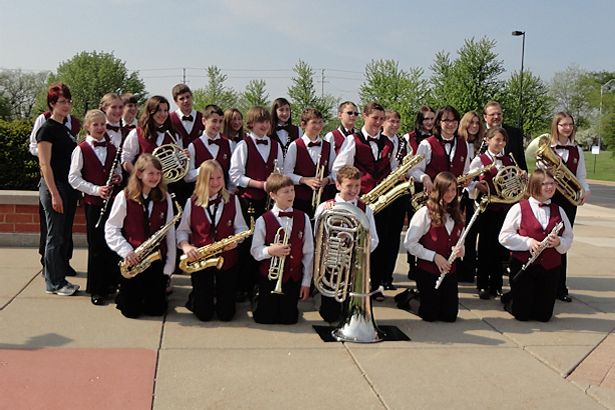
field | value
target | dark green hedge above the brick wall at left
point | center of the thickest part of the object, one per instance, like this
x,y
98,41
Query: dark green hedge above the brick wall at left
x,y
18,168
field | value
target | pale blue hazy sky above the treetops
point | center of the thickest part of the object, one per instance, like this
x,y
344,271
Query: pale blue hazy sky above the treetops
x,y
264,39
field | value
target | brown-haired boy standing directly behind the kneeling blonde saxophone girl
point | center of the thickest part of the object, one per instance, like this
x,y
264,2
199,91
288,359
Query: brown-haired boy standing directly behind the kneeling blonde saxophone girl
x,y
210,145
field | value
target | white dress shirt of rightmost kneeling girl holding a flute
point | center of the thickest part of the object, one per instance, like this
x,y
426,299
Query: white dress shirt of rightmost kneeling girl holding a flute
x,y
509,235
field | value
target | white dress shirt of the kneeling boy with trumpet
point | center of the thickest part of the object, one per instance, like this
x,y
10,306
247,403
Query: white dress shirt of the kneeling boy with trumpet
x,y
259,248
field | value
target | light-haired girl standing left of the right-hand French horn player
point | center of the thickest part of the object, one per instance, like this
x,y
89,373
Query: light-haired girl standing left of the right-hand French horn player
x,y
471,130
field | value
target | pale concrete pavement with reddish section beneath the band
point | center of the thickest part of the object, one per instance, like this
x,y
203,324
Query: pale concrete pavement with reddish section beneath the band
x,y
65,353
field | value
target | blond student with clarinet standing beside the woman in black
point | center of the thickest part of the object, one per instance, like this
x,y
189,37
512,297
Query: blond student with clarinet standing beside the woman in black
x,y
91,165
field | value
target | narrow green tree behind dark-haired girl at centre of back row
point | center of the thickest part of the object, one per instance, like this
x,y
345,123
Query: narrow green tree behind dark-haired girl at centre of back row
x,y
302,93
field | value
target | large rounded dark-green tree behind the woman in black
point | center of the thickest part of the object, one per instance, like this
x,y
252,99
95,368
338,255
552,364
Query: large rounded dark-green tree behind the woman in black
x,y
90,75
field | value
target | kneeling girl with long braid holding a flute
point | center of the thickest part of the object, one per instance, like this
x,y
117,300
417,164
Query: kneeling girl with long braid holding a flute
x,y
432,235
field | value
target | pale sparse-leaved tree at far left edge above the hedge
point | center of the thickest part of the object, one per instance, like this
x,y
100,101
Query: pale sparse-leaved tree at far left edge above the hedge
x,y
19,91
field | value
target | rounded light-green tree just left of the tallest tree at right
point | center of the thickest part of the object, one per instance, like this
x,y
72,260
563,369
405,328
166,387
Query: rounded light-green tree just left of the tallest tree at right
x,y
394,88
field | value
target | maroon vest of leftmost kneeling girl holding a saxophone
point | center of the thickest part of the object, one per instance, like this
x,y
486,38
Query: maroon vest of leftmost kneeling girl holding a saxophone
x,y
135,228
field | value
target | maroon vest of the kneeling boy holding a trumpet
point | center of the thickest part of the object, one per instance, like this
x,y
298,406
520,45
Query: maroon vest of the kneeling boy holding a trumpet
x,y
292,264
